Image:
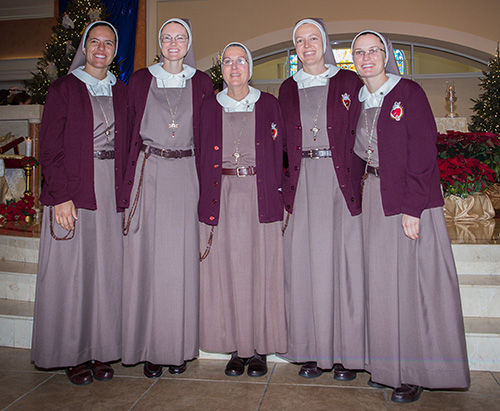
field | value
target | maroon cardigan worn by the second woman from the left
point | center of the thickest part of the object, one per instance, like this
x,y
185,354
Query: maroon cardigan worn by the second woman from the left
x,y
139,85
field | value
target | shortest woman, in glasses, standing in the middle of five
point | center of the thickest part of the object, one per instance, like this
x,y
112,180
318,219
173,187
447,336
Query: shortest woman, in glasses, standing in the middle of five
x,y
241,209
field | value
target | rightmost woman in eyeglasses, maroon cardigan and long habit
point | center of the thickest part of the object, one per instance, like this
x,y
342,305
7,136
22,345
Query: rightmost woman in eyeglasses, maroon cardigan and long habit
x,y
415,330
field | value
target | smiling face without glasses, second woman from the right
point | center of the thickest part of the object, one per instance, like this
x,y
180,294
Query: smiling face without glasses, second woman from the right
x,y
309,46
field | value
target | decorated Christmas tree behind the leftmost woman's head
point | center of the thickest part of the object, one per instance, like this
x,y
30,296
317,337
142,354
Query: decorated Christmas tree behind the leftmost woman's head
x,y
62,46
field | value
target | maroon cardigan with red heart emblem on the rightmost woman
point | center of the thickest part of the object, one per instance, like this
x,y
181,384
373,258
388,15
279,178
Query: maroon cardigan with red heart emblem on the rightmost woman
x,y
408,168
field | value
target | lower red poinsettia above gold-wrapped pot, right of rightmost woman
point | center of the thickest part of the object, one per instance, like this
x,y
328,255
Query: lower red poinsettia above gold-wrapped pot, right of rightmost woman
x,y
462,176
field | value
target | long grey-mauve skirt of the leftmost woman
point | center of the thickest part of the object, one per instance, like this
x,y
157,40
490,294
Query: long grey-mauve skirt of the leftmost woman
x,y
79,284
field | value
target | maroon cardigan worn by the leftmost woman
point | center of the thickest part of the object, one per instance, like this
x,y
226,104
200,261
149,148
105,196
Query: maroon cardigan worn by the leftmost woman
x,y
67,143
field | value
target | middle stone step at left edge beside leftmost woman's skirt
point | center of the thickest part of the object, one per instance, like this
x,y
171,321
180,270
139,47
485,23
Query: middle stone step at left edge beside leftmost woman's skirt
x,y
17,280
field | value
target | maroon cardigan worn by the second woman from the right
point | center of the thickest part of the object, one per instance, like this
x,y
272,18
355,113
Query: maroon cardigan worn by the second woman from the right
x,y
341,125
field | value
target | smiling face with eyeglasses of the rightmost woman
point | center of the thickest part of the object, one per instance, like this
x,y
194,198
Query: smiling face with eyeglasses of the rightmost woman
x,y
369,65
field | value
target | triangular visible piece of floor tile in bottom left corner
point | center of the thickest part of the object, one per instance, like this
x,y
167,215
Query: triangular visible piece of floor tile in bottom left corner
x,y
14,384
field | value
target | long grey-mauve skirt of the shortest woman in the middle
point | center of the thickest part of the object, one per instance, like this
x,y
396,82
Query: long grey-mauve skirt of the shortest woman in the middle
x,y
242,299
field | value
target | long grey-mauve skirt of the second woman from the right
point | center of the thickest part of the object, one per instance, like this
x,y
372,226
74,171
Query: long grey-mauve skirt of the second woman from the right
x,y
324,273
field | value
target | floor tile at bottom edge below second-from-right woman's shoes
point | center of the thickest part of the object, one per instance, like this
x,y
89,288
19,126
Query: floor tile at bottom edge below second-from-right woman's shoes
x,y
320,398
